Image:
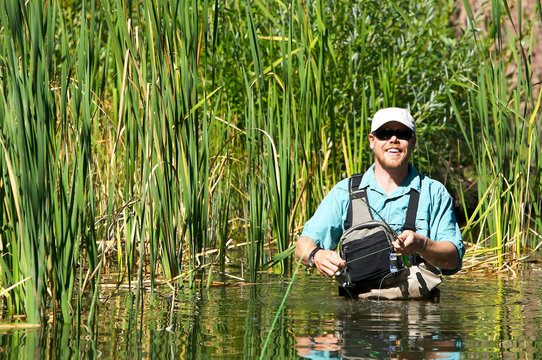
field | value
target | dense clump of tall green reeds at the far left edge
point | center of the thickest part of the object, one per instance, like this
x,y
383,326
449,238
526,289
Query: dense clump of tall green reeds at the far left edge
x,y
47,153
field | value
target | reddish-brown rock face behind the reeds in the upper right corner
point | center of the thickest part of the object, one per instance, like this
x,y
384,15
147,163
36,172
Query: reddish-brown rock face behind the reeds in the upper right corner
x,y
531,23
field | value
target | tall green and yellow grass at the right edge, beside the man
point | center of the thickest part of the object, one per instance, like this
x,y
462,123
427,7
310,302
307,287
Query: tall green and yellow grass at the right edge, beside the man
x,y
501,129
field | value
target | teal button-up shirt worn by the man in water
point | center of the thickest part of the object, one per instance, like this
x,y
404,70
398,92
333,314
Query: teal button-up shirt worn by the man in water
x,y
435,217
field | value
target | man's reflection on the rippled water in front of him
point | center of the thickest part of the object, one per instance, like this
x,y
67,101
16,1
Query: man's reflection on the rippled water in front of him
x,y
369,329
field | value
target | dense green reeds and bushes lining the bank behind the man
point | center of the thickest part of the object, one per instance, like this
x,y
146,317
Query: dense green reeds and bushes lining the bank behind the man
x,y
157,140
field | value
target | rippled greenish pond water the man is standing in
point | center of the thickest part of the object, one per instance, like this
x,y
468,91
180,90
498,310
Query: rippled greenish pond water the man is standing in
x,y
478,317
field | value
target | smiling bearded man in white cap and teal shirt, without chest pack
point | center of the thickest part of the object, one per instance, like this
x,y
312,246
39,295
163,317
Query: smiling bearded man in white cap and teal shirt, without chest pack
x,y
437,238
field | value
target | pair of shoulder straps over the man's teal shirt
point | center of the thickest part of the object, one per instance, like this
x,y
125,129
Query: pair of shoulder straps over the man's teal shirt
x,y
359,206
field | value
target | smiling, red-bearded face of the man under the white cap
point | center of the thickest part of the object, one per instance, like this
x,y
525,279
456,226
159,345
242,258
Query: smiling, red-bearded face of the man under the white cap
x,y
392,153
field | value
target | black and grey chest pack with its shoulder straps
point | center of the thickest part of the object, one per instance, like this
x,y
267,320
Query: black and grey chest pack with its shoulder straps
x,y
366,245
